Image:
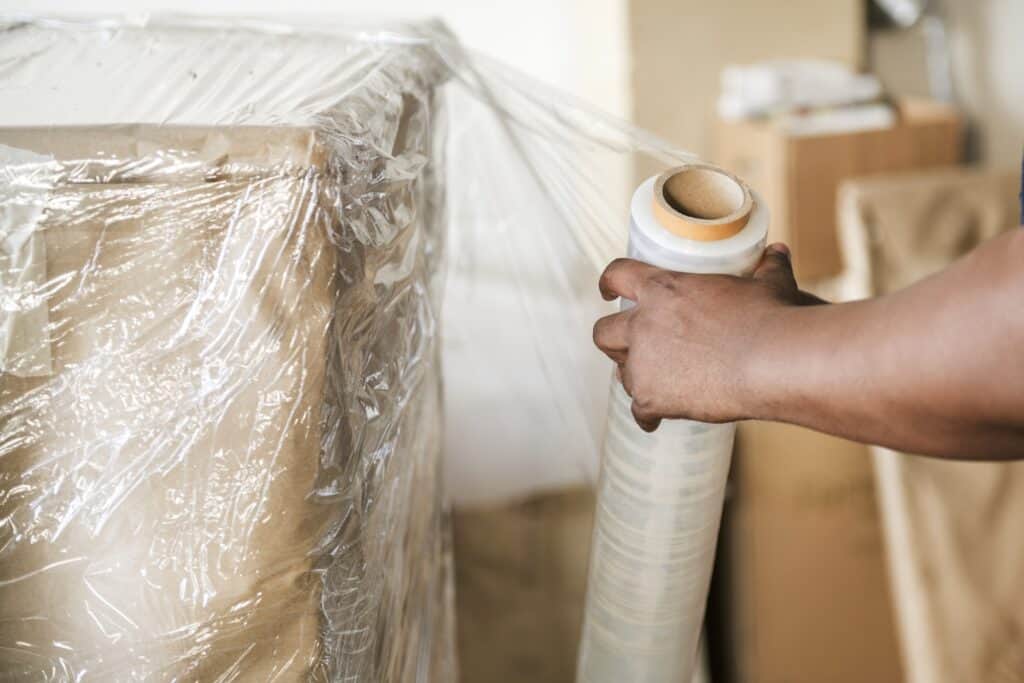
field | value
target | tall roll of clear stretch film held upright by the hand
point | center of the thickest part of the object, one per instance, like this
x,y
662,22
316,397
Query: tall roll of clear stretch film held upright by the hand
x,y
660,495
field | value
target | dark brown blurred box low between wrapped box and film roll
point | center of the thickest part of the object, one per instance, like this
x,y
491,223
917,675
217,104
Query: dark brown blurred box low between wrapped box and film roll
x,y
521,584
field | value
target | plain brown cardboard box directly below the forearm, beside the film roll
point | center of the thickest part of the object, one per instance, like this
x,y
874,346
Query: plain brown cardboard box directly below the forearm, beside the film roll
x,y
801,589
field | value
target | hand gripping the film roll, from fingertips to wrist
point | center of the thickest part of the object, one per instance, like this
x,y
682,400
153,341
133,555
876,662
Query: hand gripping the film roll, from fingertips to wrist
x,y
687,349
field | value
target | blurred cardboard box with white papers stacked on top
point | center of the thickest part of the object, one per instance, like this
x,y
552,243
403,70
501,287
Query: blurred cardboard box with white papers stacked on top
x,y
798,177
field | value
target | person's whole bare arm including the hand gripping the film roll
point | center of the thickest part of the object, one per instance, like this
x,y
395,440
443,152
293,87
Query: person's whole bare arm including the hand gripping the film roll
x,y
935,369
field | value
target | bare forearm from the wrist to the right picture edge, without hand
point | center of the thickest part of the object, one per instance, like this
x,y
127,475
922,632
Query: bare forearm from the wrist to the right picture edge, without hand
x,y
936,369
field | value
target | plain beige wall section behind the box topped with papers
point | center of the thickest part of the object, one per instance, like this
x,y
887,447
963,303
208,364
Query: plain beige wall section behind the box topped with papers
x,y
679,48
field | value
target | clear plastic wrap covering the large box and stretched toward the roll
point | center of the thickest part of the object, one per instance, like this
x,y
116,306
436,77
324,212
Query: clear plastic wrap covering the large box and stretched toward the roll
x,y
226,251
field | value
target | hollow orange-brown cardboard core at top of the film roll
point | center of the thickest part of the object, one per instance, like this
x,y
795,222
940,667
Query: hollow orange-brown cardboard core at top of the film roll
x,y
702,202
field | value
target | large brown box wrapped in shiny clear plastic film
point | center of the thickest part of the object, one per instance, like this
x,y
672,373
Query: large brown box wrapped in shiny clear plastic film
x,y
221,432
